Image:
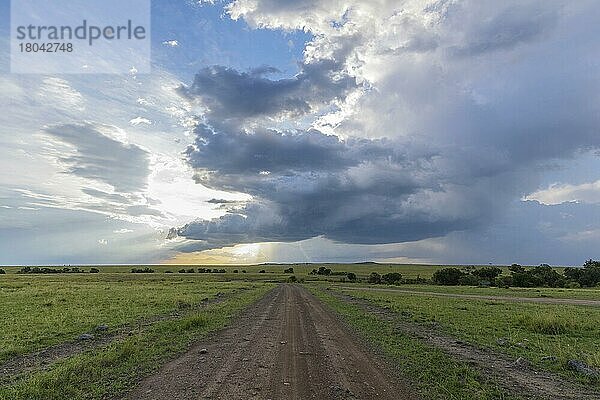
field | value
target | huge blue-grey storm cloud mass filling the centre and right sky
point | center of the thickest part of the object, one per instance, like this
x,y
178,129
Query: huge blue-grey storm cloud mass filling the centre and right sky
x,y
470,127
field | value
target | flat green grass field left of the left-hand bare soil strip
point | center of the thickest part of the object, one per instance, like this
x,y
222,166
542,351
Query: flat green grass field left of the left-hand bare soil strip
x,y
40,311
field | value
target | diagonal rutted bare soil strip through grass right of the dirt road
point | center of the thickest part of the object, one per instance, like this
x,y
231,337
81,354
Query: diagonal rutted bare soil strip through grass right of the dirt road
x,y
516,376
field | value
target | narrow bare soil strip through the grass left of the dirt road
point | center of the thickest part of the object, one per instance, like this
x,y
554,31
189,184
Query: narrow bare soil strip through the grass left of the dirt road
x,y
17,366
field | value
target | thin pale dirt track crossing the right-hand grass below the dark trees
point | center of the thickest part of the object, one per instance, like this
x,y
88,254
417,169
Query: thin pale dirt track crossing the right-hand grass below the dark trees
x,y
547,300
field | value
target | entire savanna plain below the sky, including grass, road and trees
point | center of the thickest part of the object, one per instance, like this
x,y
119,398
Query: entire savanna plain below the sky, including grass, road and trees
x,y
301,331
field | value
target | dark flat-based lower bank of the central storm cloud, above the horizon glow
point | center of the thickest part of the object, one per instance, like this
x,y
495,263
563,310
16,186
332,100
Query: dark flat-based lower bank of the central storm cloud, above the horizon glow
x,y
308,184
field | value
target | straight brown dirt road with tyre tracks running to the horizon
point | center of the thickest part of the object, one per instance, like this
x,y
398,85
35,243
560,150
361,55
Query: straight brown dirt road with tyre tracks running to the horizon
x,y
286,346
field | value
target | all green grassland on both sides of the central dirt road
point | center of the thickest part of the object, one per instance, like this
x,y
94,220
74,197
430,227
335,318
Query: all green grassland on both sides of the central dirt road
x,y
159,312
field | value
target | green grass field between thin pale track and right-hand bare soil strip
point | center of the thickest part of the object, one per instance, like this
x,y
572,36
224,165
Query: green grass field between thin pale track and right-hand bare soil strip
x,y
528,330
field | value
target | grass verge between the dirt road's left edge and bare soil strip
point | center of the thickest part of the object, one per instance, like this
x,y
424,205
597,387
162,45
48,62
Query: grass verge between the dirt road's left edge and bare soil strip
x,y
103,373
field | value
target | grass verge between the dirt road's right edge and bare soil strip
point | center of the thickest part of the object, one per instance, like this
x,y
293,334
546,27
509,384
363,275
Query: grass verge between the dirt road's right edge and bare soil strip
x,y
436,375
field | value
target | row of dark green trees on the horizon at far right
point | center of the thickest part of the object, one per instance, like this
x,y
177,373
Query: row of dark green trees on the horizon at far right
x,y
540,276
